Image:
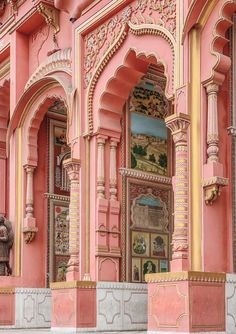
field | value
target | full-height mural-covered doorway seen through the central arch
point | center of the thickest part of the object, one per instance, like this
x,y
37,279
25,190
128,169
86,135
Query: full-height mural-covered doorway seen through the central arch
x,y
146,177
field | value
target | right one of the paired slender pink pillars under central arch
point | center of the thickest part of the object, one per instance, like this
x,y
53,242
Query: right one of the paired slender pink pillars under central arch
x,y
113,169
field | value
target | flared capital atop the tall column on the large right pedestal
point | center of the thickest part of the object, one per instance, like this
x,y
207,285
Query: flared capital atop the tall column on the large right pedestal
x,y
178,123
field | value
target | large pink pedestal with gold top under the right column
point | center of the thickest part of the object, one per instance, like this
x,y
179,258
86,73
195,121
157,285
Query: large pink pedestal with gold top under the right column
x,y
186,302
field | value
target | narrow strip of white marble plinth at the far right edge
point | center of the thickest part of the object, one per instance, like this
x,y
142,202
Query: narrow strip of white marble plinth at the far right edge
x,y
230,303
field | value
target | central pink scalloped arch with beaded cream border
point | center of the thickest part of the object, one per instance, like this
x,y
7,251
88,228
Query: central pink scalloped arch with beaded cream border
x,y
125,62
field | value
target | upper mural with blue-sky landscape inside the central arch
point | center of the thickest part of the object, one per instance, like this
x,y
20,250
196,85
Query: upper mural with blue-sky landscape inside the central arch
x,y
148,140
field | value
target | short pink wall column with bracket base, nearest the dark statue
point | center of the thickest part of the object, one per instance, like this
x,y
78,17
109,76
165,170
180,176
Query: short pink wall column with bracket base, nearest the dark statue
x,y
30,228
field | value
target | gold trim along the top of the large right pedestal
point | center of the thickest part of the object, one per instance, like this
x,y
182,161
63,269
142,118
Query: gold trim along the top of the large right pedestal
x,y
198,276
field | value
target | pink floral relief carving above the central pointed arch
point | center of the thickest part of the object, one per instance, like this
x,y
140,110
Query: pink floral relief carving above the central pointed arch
x,y
156,12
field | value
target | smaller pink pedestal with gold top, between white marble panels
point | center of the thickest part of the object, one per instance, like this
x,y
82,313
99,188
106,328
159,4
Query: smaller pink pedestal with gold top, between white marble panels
x,y
73,305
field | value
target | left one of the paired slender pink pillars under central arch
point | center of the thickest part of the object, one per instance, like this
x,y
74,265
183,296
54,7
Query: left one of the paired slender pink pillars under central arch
x,y
101,167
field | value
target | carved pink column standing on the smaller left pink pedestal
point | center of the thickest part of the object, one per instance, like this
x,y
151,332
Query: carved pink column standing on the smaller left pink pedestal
x,y
72,167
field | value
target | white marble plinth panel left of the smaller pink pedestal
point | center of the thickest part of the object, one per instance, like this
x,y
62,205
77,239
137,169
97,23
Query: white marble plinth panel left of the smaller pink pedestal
x,y
32,308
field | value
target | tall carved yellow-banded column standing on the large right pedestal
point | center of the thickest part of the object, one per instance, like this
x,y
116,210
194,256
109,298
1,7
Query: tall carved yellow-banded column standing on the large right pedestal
x,y
178,124
